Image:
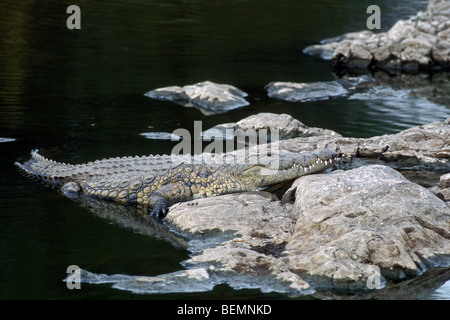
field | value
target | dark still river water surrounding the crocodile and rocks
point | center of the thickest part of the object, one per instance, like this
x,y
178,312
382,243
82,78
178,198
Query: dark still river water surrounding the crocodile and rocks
x,y
79,94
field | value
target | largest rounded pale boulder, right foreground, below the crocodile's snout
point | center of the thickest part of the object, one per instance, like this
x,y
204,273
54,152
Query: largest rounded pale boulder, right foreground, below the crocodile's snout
x,y
350,224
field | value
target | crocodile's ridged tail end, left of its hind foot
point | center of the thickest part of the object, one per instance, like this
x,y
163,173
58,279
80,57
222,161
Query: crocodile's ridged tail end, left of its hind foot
x,y
50,172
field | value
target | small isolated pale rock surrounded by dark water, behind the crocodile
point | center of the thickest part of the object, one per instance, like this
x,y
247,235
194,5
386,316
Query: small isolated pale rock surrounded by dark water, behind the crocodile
x,y
208,97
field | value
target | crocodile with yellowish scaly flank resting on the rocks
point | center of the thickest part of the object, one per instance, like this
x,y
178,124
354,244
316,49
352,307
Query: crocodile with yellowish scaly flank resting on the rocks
x,y
158,181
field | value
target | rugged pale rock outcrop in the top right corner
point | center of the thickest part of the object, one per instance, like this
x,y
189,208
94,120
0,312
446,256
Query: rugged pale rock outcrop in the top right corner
x,y
419,43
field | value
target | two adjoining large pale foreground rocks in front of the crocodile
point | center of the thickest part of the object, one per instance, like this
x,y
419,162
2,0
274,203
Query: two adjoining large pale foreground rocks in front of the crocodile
x,y
351,230
